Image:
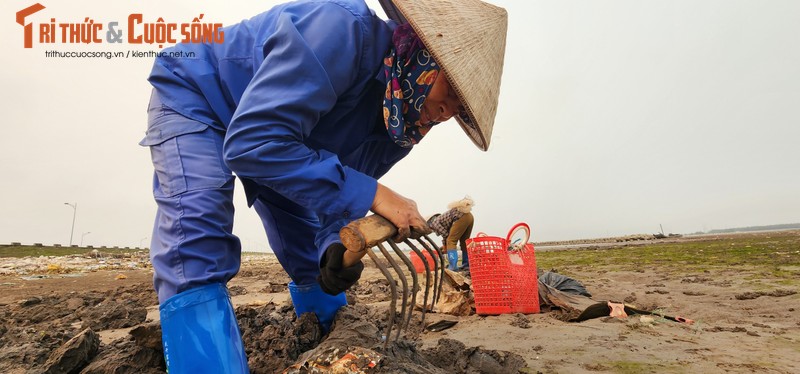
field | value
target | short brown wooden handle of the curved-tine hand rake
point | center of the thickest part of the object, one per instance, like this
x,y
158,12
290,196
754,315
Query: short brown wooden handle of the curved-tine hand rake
x,y
364,233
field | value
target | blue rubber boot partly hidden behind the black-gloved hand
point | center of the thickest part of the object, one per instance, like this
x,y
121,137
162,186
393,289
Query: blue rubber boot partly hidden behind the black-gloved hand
x,y
311,298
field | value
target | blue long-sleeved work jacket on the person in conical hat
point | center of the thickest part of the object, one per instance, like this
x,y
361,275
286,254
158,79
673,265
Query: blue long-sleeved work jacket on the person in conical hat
x,y
298,91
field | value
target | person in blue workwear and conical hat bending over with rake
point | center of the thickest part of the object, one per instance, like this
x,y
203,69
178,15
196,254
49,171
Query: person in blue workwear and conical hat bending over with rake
x,y
308,104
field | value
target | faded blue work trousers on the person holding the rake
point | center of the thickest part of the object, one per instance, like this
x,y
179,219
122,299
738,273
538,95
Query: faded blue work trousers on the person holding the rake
x,y
192,242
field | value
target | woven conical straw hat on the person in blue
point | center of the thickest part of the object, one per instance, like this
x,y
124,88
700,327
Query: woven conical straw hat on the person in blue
x,y
468,39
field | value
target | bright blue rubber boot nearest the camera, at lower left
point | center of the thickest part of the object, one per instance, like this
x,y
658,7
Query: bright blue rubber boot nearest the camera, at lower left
x,y
199,332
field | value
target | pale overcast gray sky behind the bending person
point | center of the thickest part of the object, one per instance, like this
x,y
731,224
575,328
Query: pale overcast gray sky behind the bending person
x,y
614,117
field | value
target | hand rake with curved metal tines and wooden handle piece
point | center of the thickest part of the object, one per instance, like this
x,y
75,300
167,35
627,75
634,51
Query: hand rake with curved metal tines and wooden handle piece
x,y
361,236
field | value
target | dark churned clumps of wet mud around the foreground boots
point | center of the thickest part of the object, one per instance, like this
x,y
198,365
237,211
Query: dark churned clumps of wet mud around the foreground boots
x,y
60,334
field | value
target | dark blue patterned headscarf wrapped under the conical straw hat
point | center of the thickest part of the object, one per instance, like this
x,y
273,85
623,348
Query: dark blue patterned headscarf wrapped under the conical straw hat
x,y
410,72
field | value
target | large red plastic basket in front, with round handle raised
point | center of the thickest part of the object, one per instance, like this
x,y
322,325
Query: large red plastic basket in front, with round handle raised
x,y
503,280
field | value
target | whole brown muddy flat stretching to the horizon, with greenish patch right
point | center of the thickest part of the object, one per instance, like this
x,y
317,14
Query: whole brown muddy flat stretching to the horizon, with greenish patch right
x,y
741,291
